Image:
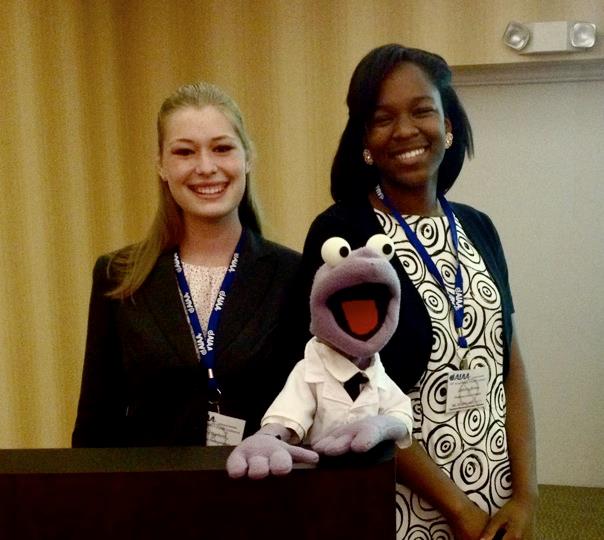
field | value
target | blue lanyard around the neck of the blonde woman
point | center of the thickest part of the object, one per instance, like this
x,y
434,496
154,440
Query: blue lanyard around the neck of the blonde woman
x,y
206,344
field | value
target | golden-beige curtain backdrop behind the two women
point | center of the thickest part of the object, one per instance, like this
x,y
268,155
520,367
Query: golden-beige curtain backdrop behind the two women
x,y
81,81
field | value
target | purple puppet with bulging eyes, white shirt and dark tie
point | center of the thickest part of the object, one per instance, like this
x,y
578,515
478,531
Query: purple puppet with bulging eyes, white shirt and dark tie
x,y
338,398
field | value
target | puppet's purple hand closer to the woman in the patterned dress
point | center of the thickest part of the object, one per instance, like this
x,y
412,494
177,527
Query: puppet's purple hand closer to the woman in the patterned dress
x,y
361,436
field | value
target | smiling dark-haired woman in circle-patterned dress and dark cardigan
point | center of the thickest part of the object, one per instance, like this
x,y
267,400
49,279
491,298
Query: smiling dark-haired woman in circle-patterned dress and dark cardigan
x,y
470,472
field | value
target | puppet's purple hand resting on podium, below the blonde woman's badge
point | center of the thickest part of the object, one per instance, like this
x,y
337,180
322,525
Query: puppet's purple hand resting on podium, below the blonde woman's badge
x,y
263,453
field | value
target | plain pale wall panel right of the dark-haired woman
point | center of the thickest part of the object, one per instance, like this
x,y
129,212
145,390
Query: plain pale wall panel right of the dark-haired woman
x,y
539,173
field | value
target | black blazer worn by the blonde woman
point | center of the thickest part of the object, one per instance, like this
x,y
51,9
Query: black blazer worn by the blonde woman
x,y
142,383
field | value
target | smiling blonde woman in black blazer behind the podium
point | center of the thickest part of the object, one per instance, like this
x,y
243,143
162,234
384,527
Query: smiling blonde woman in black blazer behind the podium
x,y
185,325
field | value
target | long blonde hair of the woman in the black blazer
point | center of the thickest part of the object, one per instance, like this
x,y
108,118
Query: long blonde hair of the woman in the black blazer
x,y
130,267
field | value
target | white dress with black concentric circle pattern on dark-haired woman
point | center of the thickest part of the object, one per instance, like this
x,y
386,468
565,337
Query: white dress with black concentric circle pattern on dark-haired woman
x,y
469,446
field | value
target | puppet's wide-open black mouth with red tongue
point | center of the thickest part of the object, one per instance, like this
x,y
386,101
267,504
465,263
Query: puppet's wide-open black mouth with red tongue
x,y
360,310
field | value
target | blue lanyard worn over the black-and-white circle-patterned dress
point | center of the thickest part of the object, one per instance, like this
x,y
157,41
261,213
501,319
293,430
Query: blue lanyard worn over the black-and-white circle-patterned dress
x,y
455,298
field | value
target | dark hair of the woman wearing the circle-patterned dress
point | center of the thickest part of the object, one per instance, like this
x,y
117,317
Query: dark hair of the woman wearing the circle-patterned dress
x,y
351,177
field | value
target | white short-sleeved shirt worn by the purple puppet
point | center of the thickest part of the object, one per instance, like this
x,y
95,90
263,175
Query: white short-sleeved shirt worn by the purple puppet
x,y
313,401
